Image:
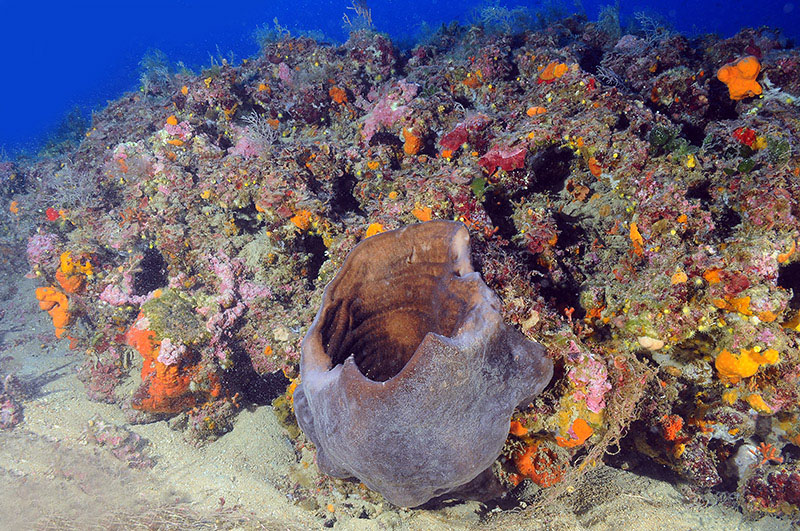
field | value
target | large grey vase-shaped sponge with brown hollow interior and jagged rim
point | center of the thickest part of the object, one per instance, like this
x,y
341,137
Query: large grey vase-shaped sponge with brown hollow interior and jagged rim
x,y
408,374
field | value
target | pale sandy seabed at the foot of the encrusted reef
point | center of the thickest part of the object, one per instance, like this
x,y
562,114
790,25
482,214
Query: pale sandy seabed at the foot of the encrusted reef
x,y
52,478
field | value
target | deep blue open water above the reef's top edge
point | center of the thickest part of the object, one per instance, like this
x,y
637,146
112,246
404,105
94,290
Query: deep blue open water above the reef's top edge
x,y
58,55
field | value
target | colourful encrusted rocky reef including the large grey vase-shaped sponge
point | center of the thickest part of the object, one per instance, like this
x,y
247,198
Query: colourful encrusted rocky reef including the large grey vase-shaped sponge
x,y
629,202
